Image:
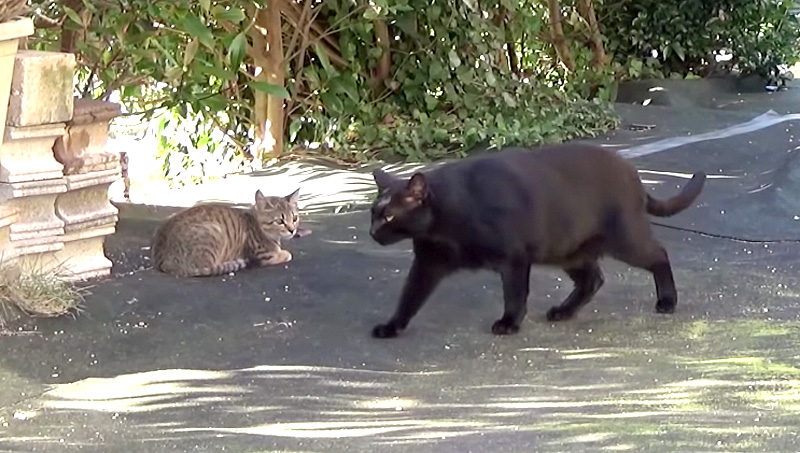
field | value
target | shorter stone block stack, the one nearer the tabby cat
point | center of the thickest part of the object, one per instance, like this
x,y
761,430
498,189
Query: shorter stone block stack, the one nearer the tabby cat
x,y
89,170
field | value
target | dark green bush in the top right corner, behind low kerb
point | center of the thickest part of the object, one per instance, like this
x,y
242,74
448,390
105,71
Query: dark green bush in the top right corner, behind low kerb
x,y
652,38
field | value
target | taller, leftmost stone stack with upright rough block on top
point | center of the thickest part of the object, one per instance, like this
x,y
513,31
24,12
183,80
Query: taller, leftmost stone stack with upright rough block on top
x,y
31,178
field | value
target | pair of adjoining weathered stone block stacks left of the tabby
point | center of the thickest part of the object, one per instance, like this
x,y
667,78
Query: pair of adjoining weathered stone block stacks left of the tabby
x,y
55,171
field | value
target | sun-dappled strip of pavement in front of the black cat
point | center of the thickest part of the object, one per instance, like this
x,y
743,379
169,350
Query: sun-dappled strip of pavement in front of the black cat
x,y
691,386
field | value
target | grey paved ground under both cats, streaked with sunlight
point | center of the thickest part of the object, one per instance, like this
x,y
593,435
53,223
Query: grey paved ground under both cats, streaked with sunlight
x,y
281,359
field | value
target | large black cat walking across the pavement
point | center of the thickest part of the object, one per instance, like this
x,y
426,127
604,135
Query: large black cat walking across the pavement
x,y
562,205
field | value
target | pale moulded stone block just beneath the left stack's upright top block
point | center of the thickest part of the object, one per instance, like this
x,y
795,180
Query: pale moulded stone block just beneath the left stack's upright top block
x,y
27,153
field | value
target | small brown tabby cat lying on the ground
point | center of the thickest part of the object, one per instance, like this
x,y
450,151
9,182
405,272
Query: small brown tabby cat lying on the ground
x,y
214,239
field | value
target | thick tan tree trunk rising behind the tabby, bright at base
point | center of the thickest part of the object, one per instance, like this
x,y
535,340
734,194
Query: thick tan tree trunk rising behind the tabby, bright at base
x,y
269,108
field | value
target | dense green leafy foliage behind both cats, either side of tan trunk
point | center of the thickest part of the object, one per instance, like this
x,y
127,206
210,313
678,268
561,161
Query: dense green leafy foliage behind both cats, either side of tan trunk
x,y
450,84
